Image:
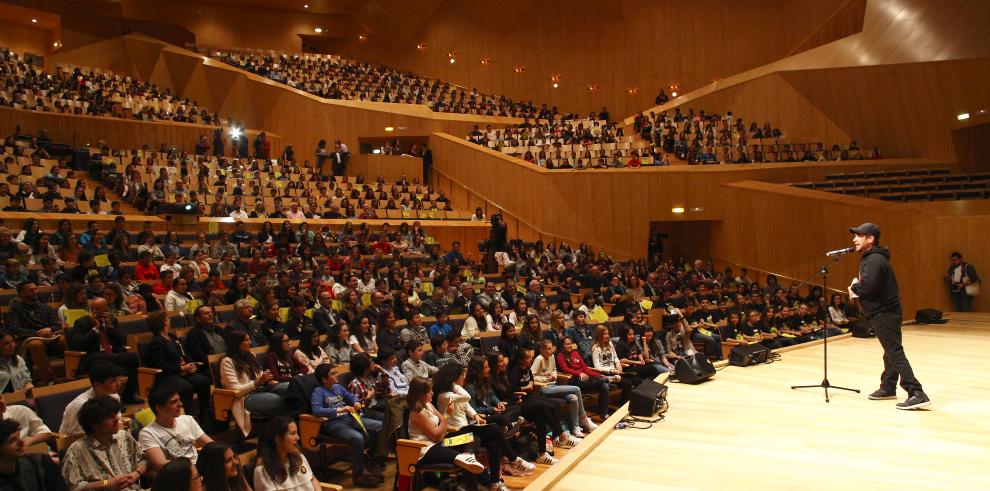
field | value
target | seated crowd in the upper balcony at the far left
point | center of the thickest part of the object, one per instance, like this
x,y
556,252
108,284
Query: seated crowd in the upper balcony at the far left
x,y
94,93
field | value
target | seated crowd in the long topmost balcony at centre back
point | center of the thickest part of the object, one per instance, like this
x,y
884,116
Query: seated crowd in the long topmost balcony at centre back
x,y
332,77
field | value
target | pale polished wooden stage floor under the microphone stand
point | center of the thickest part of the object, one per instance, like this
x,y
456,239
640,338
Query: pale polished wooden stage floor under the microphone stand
x,y
746,429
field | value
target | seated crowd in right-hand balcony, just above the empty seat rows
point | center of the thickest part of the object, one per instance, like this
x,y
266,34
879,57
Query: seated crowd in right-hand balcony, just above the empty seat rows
x,y
708,138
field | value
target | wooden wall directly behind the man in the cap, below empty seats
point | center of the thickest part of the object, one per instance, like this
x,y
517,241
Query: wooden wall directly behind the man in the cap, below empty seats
x,y
787,230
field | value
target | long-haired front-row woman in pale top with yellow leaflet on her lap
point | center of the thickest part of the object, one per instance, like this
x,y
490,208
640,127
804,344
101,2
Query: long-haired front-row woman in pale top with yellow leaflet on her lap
x,y
426,424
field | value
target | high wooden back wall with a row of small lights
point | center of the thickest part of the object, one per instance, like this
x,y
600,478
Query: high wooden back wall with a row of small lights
x,y
617,46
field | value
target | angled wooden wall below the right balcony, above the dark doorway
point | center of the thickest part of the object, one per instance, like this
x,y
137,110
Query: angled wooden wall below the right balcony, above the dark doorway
x,y
611,209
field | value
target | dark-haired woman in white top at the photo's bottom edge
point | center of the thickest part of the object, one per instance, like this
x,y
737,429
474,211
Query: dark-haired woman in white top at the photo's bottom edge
x,y
281,466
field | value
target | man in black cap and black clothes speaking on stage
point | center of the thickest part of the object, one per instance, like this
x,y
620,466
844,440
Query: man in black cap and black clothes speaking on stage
x,y
877,291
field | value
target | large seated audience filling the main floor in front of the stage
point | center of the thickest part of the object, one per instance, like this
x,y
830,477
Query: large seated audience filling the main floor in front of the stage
x,y
374,330
